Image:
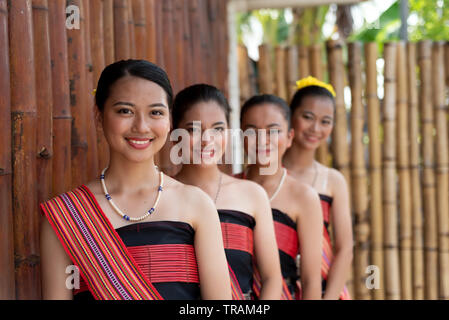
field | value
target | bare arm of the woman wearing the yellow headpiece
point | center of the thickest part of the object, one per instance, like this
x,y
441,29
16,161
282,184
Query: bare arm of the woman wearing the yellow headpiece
x,y
343,243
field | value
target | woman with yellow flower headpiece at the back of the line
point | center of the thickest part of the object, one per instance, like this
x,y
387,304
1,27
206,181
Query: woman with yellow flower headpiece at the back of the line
x,y
313,110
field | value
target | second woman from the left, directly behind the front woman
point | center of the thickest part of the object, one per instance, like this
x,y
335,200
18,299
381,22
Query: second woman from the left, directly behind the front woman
x,y
243,206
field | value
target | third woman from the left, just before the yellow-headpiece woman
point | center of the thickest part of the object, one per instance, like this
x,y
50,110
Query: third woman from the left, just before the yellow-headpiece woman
x,y
295,206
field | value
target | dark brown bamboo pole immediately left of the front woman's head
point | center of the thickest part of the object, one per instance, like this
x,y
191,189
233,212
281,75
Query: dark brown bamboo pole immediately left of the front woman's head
x,y
92,143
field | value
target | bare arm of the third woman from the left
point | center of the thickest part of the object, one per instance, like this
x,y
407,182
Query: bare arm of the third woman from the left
x,y
310,236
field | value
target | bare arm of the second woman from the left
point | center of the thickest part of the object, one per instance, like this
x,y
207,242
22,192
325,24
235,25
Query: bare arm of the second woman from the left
x,y
266,250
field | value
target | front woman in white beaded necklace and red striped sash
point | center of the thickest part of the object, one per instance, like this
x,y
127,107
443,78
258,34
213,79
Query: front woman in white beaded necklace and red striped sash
x,y
124,232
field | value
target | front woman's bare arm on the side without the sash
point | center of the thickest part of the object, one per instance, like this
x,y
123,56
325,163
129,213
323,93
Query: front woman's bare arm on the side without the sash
x,y
215,283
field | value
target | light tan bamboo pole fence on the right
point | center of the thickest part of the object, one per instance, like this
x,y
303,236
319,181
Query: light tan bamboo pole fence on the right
x,y
391,143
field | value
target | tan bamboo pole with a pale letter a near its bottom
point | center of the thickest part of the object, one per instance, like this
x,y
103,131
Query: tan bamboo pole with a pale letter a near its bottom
x,y
375,165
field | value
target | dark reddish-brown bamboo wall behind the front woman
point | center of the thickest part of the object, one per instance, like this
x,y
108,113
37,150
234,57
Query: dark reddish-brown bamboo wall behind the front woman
x,y
50,141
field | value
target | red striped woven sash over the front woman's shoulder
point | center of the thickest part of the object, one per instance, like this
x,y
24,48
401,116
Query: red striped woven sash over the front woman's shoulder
x,y
95,248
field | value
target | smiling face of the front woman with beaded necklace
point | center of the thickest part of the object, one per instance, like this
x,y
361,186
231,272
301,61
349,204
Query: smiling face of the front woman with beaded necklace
x,y
136,118
